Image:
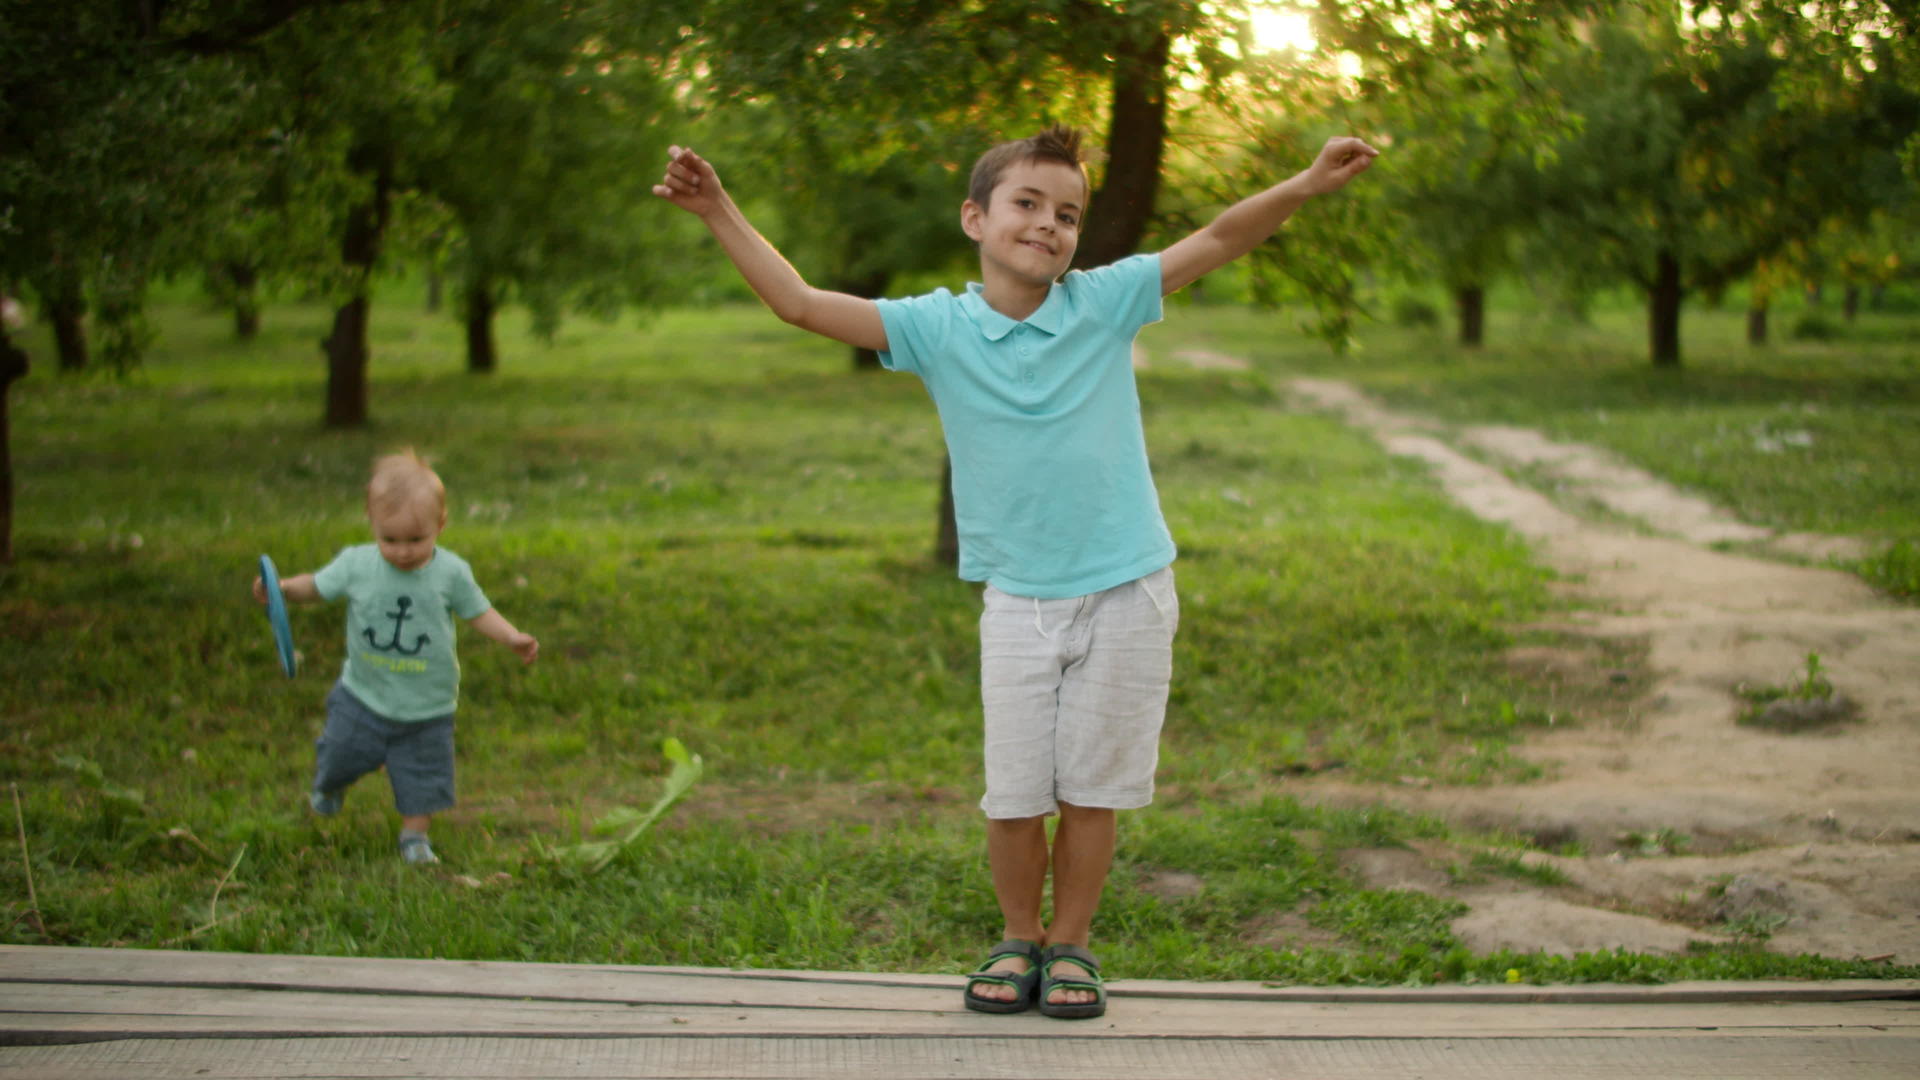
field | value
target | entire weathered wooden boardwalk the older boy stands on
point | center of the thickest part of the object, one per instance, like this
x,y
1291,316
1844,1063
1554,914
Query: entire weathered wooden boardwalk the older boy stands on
x,y
166,1016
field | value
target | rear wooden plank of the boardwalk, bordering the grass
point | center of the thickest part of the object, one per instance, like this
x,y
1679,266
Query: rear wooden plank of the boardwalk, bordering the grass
x,y
677,985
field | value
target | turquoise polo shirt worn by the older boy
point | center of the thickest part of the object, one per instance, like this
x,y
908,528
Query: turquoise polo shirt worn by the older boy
x,y
1053,495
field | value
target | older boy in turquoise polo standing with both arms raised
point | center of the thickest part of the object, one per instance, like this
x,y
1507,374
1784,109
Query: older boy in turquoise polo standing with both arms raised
x,y
1057,512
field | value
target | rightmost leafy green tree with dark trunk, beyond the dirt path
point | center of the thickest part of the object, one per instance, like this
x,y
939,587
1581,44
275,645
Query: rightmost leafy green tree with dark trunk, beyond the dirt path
x,y
1691,166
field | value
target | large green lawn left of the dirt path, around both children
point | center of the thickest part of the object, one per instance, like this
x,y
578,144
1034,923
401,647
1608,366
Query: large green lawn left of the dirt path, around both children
x,y
723,537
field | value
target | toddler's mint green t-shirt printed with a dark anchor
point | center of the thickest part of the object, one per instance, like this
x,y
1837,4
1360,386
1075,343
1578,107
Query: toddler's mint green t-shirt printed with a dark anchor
x,y
400,629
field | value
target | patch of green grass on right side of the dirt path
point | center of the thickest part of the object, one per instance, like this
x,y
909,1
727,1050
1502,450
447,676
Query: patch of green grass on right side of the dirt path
x,y
1796,435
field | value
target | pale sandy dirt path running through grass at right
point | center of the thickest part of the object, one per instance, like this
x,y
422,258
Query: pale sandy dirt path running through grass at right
x,y
1694,827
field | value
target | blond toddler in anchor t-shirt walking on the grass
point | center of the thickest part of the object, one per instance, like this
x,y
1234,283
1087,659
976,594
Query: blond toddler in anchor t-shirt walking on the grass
x,y
396,693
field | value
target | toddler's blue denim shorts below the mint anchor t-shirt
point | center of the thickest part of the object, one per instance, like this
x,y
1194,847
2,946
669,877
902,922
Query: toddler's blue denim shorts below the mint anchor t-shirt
x,y
418,754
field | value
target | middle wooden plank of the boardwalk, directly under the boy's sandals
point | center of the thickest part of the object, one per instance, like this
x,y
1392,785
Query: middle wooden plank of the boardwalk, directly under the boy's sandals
x,y
66,1012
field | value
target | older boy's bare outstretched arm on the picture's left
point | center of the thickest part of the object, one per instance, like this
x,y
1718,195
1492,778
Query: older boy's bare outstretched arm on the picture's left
x,y
692,185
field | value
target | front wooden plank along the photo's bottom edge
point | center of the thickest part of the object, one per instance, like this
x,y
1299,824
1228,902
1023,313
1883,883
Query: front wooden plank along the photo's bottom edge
x,y
969,1060
